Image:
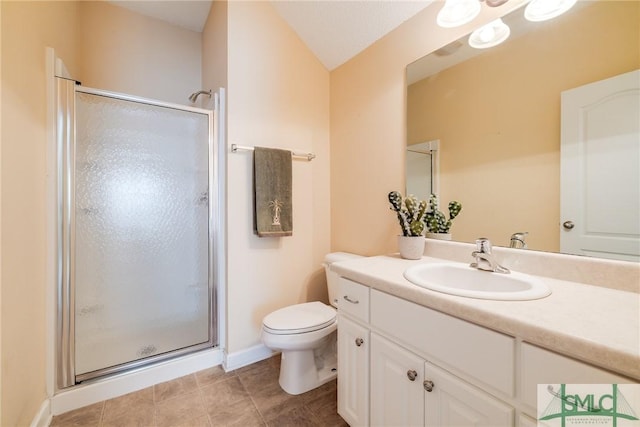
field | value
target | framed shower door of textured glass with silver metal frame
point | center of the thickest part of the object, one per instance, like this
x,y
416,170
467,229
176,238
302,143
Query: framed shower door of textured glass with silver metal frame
x,y
136,208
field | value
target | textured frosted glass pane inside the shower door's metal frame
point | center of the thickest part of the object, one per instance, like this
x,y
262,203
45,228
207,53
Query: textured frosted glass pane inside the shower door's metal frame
x,y
141,230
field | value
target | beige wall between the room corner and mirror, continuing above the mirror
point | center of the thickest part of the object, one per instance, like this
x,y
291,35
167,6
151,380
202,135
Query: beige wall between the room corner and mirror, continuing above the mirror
x,y
368,130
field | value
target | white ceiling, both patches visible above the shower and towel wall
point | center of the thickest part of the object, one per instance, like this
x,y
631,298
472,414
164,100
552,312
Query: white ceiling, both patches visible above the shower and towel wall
x,y
334,30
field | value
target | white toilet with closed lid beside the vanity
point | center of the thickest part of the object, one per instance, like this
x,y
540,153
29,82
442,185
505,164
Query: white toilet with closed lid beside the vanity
x,y
306,336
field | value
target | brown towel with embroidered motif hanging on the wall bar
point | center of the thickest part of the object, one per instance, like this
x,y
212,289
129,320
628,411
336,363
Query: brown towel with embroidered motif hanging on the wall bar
x,y
273,214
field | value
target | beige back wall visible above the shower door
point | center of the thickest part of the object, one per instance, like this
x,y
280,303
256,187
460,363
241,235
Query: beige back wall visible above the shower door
x,y
126,52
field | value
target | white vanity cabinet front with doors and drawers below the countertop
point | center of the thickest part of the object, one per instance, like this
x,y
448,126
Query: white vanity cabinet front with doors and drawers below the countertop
x,y
402,363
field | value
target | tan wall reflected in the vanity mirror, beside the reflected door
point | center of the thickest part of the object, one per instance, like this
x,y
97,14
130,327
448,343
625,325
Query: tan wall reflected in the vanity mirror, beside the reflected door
x,y
496,115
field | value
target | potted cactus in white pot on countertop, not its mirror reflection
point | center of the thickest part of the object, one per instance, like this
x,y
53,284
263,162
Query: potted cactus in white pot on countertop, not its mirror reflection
x,y
411,214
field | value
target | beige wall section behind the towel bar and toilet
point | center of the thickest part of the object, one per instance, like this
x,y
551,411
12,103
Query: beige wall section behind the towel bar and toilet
x,y
277,97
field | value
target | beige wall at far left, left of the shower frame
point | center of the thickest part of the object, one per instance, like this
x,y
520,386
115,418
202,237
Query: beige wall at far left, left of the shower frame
x,y
27,28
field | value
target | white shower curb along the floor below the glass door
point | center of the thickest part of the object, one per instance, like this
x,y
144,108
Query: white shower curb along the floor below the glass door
x,y
83,395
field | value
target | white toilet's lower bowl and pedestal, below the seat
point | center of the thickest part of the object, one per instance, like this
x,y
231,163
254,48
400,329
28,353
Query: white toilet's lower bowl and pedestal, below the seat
x,y
301,371
